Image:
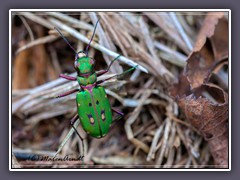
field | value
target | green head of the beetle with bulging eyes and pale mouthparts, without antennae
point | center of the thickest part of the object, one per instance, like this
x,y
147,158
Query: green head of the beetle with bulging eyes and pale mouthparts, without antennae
x,y
83,64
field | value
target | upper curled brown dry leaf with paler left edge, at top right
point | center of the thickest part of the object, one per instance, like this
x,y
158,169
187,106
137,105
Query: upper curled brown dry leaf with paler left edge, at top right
x,y
211,46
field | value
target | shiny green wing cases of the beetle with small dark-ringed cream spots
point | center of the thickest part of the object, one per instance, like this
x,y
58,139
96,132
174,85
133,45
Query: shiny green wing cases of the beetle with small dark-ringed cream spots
x,y
94,111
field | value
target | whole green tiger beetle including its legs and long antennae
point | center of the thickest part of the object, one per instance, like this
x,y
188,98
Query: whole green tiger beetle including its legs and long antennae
x,y
93,106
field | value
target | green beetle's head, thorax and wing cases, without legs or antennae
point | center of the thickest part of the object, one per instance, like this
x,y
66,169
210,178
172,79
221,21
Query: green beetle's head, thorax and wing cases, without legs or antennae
x,y
94,109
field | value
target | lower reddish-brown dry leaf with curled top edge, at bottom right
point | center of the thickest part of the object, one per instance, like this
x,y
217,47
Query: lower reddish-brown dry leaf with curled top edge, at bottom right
x,y
206,108
